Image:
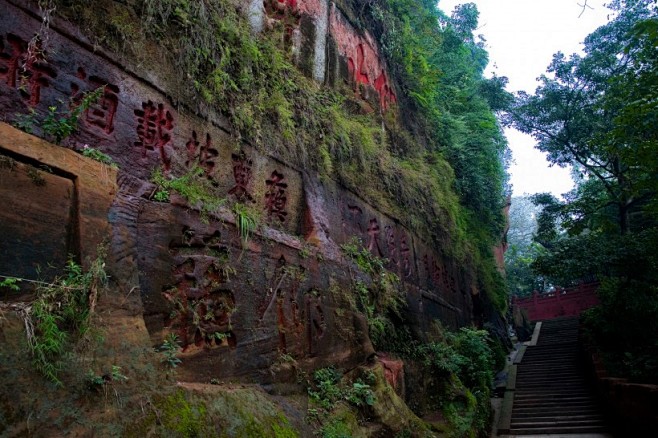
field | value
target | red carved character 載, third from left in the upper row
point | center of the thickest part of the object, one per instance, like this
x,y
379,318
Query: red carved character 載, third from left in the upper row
x,y
155,125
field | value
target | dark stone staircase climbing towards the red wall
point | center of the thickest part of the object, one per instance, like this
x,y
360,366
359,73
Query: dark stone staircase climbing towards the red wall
x,y
551,393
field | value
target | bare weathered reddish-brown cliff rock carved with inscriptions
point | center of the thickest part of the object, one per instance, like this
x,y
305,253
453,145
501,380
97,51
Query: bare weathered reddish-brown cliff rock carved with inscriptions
x,y
237,306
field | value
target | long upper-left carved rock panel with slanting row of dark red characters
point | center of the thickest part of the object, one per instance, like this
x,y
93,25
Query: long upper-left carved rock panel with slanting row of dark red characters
x,y
133,121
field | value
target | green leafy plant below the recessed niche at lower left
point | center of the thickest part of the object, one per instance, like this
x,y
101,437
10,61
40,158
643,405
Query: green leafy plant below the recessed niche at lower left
x,y
62,312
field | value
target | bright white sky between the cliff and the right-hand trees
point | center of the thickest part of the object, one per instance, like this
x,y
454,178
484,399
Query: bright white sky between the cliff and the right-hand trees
x,y
522,36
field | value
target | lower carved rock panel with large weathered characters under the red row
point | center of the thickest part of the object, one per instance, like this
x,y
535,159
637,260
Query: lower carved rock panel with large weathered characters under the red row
x,y
230,307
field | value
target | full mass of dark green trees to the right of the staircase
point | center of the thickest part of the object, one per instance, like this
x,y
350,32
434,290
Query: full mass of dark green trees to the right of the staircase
x,y
597,112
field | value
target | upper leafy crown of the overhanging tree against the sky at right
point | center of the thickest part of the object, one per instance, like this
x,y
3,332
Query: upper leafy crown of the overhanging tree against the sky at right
x,y
590,112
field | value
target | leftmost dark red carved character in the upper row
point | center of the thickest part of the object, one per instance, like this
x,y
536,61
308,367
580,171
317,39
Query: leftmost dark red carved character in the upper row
x,y
25,69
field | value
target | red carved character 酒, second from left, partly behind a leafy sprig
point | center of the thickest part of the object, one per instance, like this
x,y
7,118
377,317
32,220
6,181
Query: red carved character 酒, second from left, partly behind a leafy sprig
x,y
100,113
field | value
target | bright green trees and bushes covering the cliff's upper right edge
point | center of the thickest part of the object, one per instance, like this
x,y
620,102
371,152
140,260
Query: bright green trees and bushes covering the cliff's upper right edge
x,y
439,63
